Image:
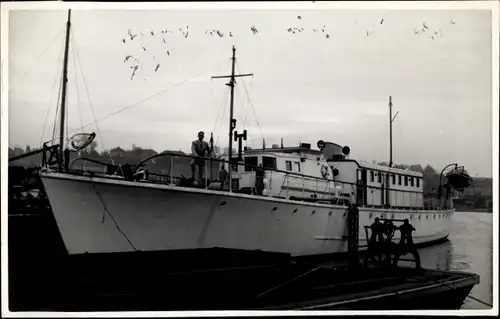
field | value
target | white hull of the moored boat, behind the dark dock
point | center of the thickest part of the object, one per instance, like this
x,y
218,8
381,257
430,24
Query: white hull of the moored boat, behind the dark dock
x,y
102,215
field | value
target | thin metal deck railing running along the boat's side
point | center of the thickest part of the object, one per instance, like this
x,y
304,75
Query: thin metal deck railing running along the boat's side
x,y
323,188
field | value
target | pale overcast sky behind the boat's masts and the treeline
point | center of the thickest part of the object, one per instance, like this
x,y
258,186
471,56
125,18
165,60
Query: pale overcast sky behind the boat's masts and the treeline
x,y
305,87
